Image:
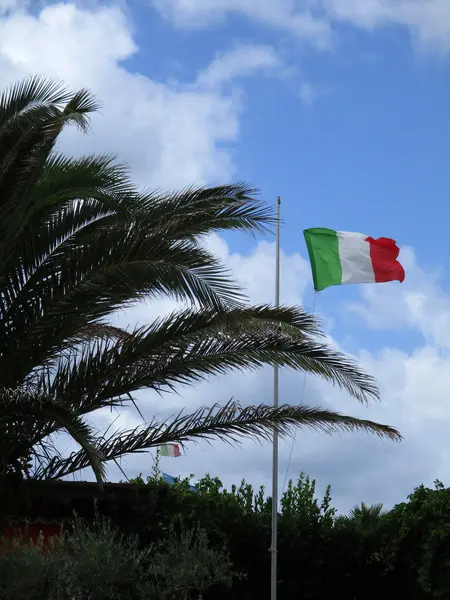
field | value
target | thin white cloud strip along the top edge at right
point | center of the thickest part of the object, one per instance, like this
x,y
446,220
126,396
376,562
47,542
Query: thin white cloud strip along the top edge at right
x,y
428,21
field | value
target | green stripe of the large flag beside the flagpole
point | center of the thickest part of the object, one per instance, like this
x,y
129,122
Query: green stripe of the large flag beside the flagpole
x,y
323,250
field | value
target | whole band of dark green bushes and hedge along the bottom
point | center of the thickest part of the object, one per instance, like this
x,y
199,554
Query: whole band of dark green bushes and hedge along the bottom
x,y
171,547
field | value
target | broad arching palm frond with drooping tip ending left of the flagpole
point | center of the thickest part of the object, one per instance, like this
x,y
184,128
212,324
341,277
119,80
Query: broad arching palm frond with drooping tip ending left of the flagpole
x,y
80,280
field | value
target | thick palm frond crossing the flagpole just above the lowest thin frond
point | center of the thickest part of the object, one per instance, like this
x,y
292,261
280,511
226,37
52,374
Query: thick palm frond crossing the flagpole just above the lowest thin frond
x,y
189,346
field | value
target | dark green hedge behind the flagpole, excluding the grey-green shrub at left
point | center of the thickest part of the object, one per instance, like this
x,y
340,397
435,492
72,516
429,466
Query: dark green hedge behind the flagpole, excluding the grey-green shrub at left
x,y
321,553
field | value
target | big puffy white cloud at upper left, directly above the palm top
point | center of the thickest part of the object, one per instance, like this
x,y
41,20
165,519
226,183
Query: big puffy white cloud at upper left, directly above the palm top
x,y
171,134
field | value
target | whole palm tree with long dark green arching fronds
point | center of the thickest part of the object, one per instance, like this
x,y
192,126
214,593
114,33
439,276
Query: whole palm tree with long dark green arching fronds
x,y
79,242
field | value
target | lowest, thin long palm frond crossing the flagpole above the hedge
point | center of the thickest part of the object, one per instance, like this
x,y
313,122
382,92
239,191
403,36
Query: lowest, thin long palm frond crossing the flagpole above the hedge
x,y
229,423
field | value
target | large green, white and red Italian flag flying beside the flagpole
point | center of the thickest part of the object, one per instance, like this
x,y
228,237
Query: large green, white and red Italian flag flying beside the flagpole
x,y
339,257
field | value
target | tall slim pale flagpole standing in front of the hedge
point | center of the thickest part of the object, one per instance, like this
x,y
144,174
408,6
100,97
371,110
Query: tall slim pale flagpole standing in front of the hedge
x,y
274,545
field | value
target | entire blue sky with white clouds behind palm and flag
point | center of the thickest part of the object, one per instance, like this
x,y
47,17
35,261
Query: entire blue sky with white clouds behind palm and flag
x,y
342,108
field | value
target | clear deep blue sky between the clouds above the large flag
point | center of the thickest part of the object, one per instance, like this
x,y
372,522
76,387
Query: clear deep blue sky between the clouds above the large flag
x,y
370,154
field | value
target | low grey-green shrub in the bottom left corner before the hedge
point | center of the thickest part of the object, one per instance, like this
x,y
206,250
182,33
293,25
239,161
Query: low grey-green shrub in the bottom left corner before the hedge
x,y
102,564
